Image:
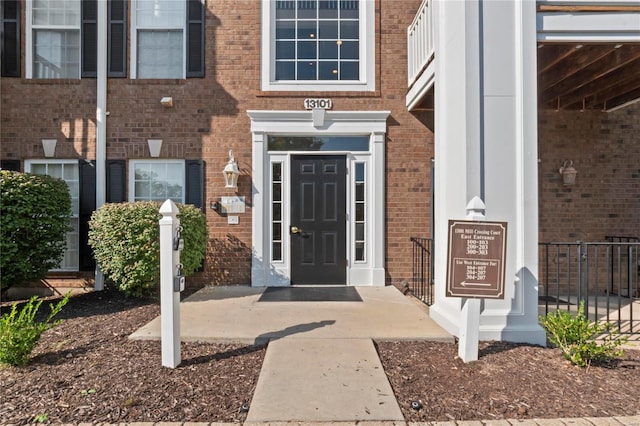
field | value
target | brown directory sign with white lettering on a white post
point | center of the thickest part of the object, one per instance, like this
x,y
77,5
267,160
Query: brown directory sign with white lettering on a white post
x,y
476,259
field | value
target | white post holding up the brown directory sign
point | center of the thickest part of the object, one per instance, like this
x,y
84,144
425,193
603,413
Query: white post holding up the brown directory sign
x,y
470,324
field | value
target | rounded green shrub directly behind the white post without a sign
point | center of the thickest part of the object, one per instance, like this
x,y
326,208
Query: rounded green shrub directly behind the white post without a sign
x,y
125,242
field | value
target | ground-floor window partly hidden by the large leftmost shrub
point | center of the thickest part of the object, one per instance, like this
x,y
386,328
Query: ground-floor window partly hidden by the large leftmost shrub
x,y
66,170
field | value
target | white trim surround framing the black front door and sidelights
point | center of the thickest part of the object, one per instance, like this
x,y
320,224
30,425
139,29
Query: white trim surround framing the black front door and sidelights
x,y
371,271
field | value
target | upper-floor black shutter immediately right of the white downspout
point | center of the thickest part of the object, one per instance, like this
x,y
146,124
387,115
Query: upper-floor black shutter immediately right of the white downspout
x,y
117,39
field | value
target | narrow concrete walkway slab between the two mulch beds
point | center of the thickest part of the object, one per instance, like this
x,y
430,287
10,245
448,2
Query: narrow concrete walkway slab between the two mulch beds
x,y
323,380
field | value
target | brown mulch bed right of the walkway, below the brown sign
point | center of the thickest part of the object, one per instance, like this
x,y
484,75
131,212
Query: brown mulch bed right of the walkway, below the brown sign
x,y
508,381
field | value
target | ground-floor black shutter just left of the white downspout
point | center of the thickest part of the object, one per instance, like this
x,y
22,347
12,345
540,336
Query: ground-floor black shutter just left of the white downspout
x,y
87,207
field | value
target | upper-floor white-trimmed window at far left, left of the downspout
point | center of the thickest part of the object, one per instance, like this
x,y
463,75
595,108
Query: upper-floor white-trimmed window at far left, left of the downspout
x,y
55,38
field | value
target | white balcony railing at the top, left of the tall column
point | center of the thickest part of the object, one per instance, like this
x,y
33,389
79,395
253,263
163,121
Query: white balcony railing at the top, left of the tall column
x,y
420,45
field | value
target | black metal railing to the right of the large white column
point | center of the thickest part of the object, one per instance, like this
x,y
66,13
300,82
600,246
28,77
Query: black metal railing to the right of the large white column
x,y
603,275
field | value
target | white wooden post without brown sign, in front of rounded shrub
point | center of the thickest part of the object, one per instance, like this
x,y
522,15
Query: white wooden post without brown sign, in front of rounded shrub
x,y
169,299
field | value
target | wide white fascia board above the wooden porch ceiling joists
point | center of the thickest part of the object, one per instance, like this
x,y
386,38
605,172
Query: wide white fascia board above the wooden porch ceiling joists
x,y
588,26
